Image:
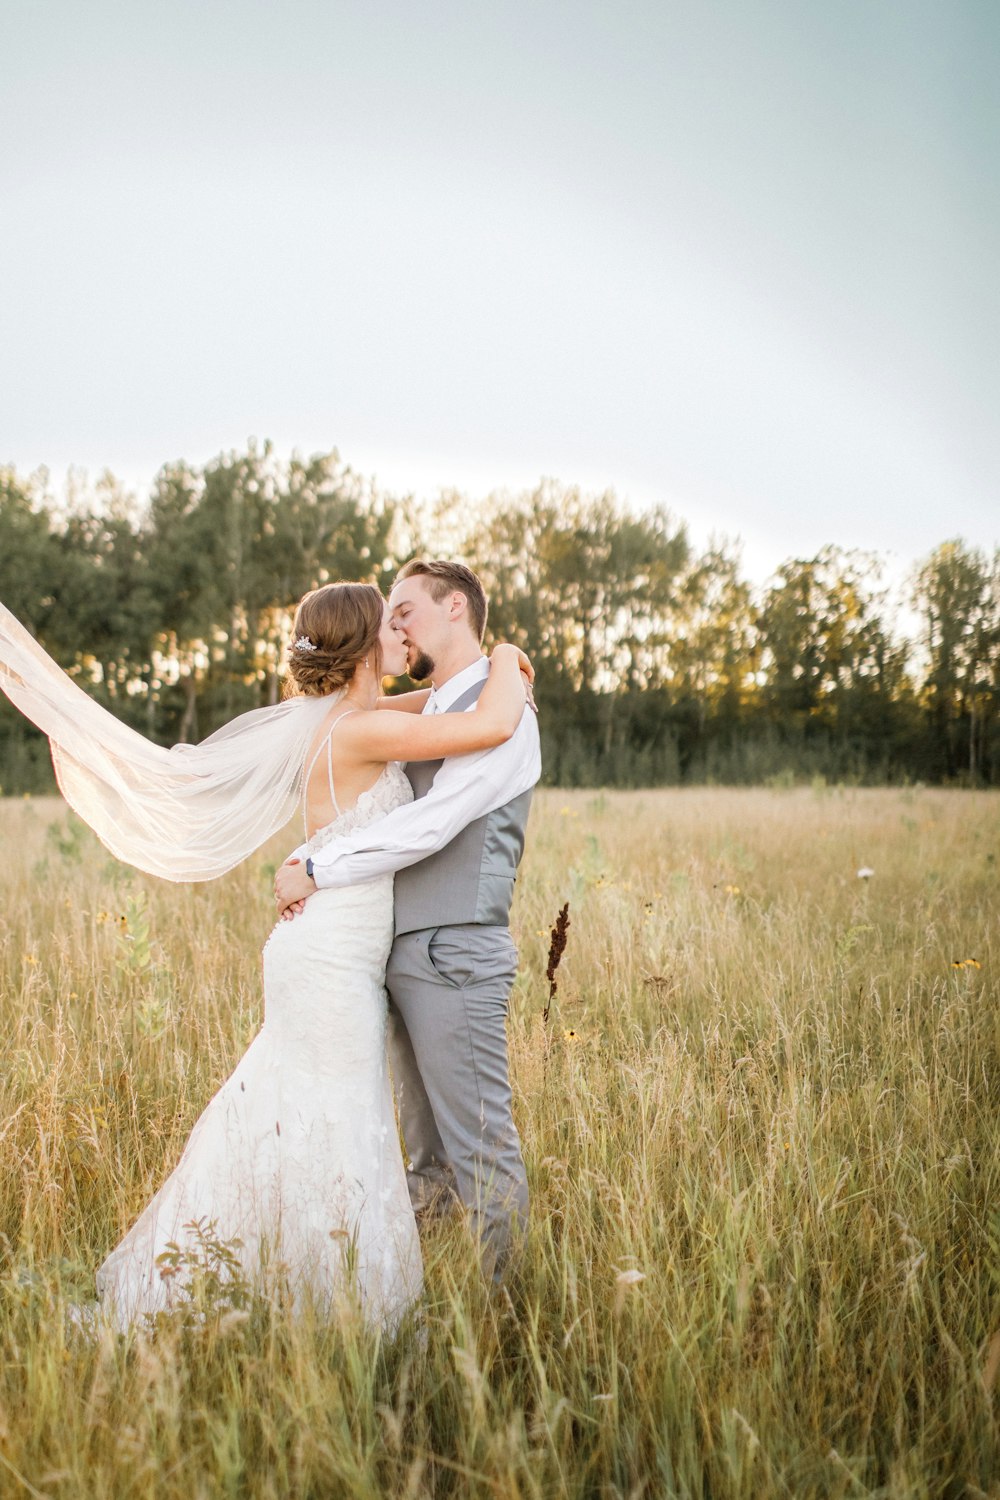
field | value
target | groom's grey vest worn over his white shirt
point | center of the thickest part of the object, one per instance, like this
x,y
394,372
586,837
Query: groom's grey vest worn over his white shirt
x,y
473,878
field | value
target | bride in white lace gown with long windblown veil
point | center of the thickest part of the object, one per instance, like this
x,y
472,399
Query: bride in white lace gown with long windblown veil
x,y
296,1162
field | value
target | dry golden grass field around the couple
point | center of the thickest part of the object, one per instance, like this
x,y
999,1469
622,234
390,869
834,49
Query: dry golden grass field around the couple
x,y
762,1133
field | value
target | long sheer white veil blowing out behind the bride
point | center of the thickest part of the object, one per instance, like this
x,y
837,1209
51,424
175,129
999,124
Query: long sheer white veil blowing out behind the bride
x,y
187,814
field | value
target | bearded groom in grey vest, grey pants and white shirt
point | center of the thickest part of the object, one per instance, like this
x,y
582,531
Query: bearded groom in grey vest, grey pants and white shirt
x,y
452,967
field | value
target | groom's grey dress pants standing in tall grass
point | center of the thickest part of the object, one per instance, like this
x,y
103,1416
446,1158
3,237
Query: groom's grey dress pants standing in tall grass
x,y
449,994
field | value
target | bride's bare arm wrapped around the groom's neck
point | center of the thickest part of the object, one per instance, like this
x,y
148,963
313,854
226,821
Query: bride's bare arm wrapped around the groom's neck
x,y
430,737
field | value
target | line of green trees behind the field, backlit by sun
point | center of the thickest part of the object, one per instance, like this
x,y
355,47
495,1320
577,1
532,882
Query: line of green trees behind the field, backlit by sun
x,y
656,664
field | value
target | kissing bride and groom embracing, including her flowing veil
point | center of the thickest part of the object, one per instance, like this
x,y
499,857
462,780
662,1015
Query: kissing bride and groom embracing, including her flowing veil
x,y
415,814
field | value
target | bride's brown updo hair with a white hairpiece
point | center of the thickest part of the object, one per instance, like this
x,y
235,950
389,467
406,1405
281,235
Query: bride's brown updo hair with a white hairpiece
x,y
337,628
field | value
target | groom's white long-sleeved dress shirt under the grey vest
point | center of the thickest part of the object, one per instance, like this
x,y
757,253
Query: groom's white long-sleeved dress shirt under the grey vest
x,y
466,788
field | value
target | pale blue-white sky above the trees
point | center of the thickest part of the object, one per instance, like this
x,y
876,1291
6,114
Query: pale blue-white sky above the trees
x,y
738,259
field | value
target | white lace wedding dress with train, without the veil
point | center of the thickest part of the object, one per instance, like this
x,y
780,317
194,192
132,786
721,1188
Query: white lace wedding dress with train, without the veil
x,y
298,1154
